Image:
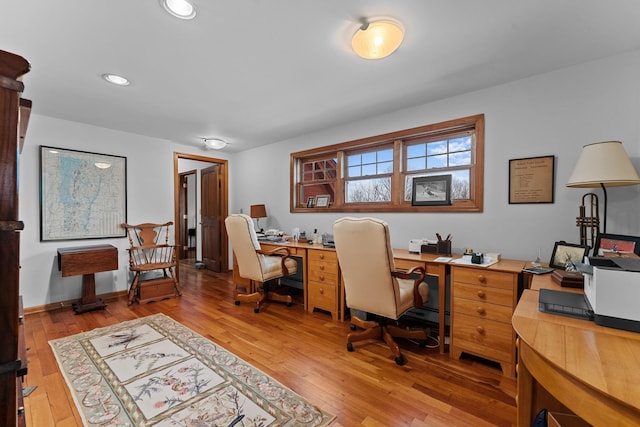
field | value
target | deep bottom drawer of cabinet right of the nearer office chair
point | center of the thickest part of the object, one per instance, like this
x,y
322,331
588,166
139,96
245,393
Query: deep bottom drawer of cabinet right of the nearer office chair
x,y
482,337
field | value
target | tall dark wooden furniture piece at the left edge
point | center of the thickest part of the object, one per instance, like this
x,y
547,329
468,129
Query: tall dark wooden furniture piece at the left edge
x,y
12,68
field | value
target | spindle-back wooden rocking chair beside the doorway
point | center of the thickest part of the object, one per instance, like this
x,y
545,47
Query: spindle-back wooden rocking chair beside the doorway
x,y
150,251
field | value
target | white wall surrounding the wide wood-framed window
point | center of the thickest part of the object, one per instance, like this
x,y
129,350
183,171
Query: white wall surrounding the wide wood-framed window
x,y
551,114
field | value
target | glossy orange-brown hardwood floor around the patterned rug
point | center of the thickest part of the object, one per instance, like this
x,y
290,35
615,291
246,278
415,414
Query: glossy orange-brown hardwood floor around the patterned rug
x,y
305,352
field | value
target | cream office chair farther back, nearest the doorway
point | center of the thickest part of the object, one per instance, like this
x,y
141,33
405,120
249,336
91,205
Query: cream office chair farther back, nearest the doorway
x,y
259,266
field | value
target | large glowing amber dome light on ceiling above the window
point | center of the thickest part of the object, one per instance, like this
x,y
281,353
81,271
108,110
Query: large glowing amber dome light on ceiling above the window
x,y
377,39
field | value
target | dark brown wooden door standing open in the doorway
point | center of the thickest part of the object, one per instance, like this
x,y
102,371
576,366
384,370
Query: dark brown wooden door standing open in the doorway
x,y
212,217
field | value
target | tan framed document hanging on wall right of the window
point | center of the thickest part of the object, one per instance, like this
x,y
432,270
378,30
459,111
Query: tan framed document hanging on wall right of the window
x,y
532,180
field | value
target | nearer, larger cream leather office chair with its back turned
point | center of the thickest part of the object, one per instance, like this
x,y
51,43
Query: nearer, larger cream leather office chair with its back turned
x,y
372,284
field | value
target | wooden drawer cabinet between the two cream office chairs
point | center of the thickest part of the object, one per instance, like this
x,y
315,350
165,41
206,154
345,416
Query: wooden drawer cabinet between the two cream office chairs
x,y
324,288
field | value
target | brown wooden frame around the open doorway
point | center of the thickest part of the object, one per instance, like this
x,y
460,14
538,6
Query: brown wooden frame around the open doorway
x,y
224,191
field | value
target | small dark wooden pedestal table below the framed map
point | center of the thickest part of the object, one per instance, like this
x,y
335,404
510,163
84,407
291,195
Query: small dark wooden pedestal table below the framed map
x,y
86,261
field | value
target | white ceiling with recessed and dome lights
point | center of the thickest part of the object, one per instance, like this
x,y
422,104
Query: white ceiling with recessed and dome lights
x,y
254,72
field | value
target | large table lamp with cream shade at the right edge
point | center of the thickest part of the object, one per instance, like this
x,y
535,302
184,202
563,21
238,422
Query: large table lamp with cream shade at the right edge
x,y
603,164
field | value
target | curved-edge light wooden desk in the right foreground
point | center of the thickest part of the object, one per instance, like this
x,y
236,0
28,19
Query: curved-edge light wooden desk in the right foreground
x,y
566,363
